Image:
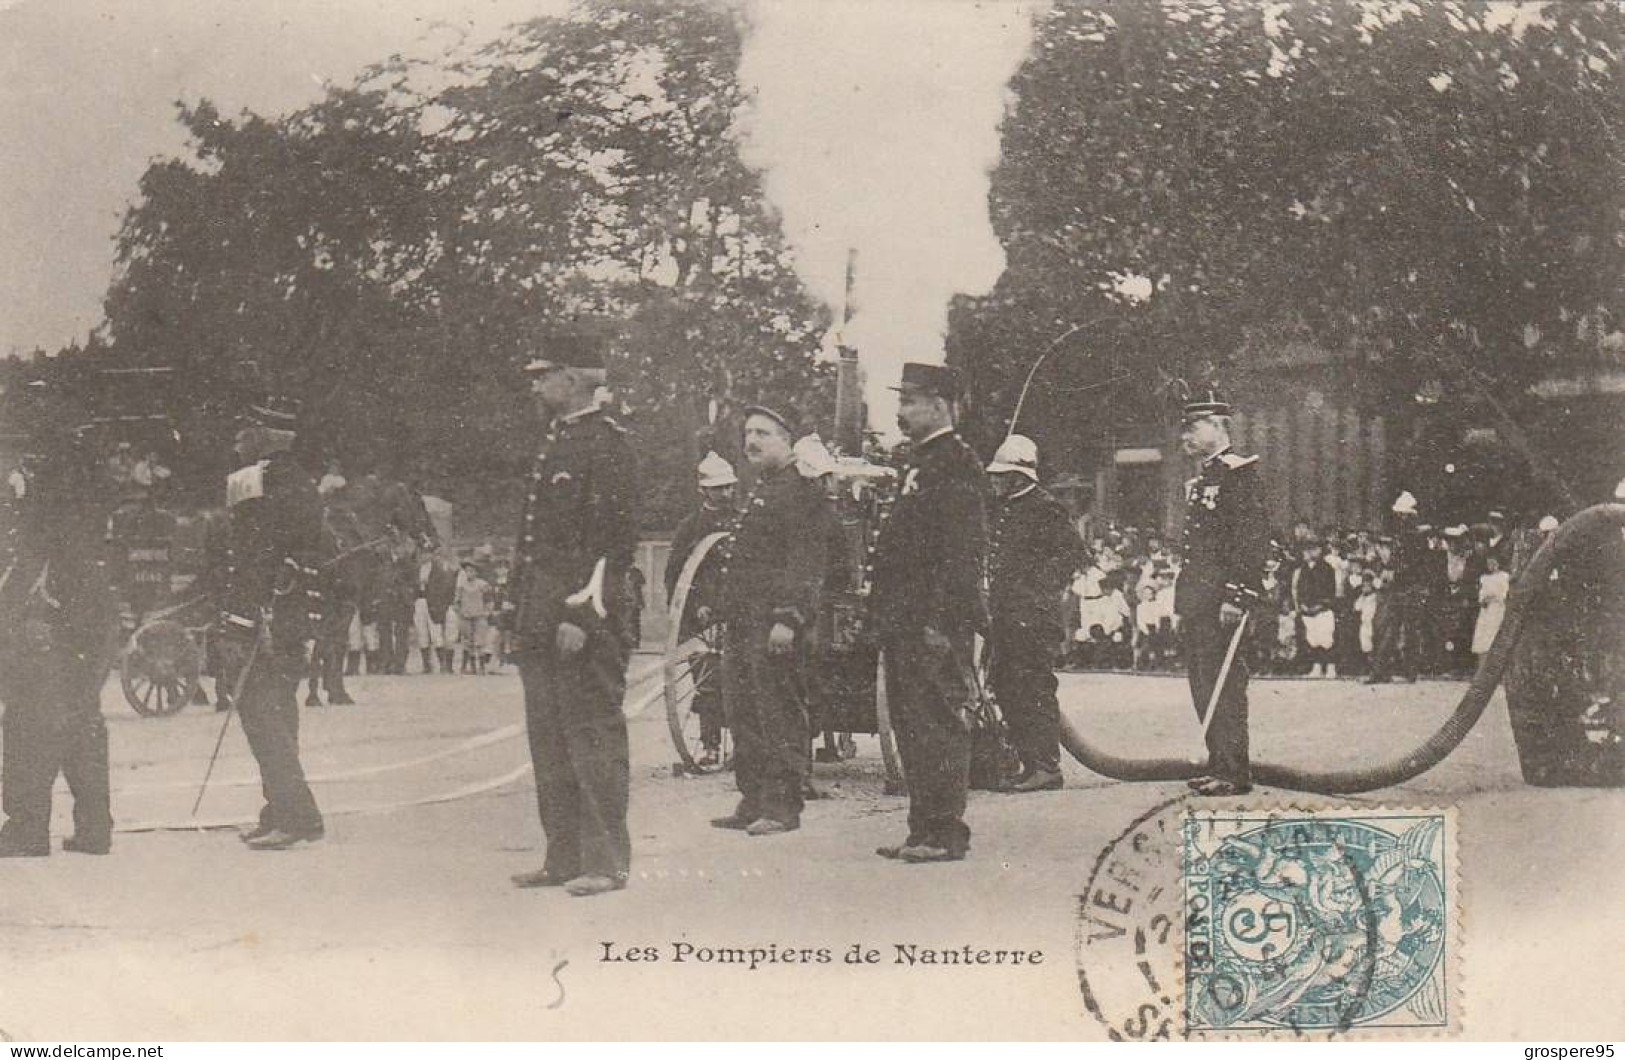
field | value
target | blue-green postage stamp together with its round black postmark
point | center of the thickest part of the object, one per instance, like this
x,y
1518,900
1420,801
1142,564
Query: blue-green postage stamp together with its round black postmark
x,y
1226,921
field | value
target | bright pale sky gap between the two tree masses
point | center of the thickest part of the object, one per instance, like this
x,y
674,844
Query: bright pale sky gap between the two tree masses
x,y
877,131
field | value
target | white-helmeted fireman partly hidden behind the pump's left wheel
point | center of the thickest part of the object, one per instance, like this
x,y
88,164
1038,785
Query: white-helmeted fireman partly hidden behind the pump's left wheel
x,y
716,515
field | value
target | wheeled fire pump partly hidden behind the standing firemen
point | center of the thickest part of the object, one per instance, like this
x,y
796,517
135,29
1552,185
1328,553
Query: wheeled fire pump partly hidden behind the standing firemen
x,y
846,689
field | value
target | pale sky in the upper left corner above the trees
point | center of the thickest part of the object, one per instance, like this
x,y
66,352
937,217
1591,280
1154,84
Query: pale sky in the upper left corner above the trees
x,y
87,100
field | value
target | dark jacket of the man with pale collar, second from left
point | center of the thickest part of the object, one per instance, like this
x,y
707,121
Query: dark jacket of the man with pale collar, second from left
x,y
267,557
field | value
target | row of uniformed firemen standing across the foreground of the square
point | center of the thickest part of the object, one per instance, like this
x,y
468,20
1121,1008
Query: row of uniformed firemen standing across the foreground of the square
x,y
953,558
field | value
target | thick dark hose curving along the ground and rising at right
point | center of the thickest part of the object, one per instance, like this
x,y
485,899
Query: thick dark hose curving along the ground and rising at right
x,y
1527,588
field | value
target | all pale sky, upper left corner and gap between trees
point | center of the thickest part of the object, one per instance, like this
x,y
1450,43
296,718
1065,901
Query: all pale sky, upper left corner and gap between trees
x,y
875,124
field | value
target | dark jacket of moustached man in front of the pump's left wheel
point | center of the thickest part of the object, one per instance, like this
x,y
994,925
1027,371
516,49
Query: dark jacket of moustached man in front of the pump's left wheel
x,y
779,554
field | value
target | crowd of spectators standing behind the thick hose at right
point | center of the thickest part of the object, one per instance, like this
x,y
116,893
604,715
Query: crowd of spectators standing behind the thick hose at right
x,y
1322,612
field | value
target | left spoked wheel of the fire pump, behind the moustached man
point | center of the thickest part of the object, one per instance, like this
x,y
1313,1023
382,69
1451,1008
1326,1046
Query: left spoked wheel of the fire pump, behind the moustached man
x,y
693,672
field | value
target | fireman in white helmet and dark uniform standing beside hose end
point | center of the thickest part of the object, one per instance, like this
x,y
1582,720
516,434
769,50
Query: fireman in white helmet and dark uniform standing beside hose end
x,y
1033,557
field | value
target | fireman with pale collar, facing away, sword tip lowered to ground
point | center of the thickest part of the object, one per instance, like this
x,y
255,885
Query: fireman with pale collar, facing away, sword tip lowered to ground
x,y
262,573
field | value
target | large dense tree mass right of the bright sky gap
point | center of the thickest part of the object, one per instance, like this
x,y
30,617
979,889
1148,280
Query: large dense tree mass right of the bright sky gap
x,y
1432,191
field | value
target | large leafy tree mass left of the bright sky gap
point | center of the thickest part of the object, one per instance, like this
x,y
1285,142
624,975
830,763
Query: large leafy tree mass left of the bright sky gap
x,y
399,250
